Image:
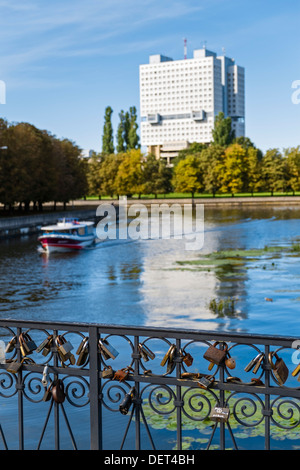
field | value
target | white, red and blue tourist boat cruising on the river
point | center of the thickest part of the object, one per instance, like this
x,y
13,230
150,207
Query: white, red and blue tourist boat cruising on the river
x,y
67,235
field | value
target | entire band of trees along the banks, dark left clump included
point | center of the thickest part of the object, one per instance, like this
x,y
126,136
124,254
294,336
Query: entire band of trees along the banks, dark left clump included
x,y
37,167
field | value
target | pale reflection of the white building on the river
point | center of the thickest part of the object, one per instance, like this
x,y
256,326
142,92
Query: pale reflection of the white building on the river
x,y
178,295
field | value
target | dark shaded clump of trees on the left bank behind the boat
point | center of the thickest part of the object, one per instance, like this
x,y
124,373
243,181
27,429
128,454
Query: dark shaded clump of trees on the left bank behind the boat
x,y
37,167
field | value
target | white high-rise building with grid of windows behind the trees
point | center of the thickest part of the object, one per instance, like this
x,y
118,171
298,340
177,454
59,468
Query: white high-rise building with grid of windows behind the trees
x,y
179,100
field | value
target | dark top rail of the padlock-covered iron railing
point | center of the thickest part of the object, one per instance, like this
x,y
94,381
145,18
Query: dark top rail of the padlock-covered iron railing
x,y
247,338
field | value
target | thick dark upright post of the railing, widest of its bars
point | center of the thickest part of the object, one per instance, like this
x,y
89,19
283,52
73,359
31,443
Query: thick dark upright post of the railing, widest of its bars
x,y
95,386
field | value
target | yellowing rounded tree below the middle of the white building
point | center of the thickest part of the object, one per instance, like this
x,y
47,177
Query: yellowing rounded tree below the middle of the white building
x,y
187,177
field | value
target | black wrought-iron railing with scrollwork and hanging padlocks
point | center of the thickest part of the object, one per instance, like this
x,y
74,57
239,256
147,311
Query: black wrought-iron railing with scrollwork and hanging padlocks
x,y
167,396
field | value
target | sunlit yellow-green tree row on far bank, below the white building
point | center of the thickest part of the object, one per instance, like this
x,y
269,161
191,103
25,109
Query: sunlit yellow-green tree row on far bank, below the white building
x,y
228,165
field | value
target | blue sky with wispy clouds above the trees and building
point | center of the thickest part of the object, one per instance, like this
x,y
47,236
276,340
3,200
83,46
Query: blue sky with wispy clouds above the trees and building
x,y
63,62
